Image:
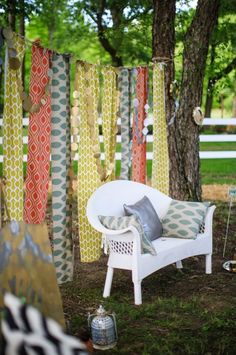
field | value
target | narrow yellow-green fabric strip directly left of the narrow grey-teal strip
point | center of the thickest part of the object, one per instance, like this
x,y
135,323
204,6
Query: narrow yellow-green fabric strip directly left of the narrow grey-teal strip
x,y
109,119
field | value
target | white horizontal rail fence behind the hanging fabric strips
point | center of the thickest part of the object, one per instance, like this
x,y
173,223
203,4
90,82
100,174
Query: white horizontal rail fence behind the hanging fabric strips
x,y
203,138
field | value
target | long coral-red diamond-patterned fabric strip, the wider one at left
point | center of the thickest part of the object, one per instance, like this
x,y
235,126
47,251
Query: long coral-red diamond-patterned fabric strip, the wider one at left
x,y
37,178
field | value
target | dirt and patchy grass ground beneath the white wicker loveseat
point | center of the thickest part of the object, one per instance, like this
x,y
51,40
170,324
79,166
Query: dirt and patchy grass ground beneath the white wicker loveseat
x,y
183,311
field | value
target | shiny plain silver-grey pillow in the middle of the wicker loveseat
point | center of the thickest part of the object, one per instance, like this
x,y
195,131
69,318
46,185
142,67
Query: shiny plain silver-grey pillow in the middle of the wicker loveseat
x,y
150,221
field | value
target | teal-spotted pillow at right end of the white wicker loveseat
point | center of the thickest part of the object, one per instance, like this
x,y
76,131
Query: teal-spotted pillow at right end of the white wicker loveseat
x,y
183,219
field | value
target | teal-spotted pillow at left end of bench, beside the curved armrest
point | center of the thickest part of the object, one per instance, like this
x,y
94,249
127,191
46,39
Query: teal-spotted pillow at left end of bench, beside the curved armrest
x,y
118,223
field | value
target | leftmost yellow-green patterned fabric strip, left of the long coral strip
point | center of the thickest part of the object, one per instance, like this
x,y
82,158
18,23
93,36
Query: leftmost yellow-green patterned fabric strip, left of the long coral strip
x,y
12,134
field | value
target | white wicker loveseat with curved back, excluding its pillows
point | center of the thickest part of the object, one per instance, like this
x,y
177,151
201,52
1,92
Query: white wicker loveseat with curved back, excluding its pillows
x,y
124,245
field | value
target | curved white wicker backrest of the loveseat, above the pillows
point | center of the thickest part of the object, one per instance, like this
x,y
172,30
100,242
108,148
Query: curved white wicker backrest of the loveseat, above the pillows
x,y
109,198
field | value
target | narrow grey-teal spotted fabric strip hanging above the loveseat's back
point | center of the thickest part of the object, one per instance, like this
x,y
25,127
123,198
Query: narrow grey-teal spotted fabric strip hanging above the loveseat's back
x,y
124,88
